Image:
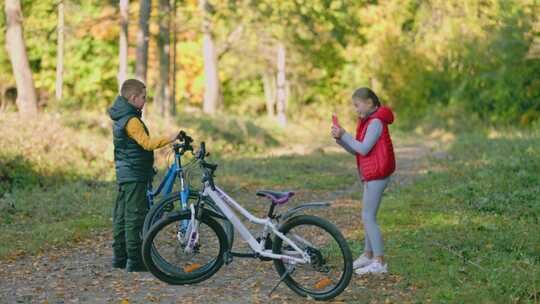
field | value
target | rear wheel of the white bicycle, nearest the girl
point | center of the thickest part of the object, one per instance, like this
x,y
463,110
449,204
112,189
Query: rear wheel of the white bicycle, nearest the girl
x,y
330,269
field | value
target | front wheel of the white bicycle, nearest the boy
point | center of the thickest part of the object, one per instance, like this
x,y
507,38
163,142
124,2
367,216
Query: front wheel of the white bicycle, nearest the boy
x,y
179,262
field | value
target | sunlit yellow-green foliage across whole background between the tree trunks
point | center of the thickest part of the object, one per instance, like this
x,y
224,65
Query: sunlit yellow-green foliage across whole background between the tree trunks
x,y
430,60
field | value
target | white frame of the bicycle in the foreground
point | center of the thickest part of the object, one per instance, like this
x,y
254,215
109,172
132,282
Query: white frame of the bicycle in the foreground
x,y
225,203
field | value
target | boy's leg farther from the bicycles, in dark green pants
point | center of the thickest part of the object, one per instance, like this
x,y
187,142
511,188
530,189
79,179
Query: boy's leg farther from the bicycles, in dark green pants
x,y
119,236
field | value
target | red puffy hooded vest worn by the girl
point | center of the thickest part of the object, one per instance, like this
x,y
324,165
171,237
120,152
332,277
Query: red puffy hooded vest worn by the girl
x,y
380,161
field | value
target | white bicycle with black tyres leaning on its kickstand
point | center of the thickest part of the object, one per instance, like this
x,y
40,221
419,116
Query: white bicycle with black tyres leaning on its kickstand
x,y
309,253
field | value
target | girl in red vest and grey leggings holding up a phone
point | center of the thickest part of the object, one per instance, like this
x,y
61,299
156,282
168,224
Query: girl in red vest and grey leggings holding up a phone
x,y
375,160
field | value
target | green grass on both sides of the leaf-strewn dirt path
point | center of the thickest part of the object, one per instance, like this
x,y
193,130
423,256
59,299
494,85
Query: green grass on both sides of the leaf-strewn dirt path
x,y
466,231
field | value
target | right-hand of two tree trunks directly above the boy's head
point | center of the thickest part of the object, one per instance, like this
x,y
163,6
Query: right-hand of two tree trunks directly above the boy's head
x,y
143,34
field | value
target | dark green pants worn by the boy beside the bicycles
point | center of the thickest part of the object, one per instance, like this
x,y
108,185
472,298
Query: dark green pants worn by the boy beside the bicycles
x,y
128,219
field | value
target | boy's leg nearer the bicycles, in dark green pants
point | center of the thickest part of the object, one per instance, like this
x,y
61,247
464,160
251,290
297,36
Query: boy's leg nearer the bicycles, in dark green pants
x,y
135,212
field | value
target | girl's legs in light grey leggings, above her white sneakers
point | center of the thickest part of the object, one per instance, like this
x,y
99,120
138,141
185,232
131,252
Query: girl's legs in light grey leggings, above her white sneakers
x,y
373,191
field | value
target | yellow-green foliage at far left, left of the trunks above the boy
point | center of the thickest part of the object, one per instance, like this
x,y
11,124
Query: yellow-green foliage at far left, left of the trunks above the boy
x,y
90,55
